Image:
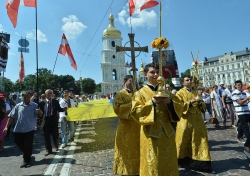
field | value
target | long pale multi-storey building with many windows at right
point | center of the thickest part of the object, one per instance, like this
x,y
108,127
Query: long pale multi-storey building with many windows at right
x,y
226,68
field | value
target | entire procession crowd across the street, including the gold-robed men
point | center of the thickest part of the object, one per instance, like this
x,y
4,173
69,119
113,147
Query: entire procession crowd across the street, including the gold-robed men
x,y
147,123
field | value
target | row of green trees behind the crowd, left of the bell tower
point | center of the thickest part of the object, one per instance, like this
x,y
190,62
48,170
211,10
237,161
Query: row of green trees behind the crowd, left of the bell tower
x,y
48,81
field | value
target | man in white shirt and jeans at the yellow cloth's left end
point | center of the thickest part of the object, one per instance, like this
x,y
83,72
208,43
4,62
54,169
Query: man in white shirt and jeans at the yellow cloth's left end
x,y
66,102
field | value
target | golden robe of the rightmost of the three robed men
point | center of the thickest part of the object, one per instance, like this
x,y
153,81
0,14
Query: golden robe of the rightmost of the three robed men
x,y
191,133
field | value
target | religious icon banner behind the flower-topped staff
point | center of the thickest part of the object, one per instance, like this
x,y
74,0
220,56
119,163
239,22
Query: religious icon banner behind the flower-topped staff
x,y
169,63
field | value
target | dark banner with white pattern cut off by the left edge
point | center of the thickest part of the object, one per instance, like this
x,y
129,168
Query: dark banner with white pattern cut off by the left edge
x,y
3,53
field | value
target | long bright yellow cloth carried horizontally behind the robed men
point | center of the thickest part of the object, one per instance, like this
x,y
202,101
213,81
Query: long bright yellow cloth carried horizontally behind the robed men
x,y
93,109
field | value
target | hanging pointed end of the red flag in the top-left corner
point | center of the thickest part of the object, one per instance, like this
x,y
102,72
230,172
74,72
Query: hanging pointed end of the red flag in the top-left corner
x,y
12,10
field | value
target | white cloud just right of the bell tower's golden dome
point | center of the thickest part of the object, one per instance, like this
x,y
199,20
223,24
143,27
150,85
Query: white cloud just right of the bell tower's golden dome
x,y
139,19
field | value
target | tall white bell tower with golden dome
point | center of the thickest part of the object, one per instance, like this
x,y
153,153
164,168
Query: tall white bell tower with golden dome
x,y
113,64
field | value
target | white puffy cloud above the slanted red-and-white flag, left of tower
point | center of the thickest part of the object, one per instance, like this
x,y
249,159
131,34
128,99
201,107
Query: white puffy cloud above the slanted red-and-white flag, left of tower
x,y
72,27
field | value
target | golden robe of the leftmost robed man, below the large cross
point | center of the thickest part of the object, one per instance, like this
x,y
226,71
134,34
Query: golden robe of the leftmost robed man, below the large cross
x,y
127,140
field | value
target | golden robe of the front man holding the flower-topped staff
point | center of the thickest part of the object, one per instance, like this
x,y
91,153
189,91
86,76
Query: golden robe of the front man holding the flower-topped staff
x,y
157,136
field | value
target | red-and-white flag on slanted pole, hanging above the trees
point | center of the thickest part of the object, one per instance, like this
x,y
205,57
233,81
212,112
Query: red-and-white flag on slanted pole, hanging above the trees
x,y
65,48
